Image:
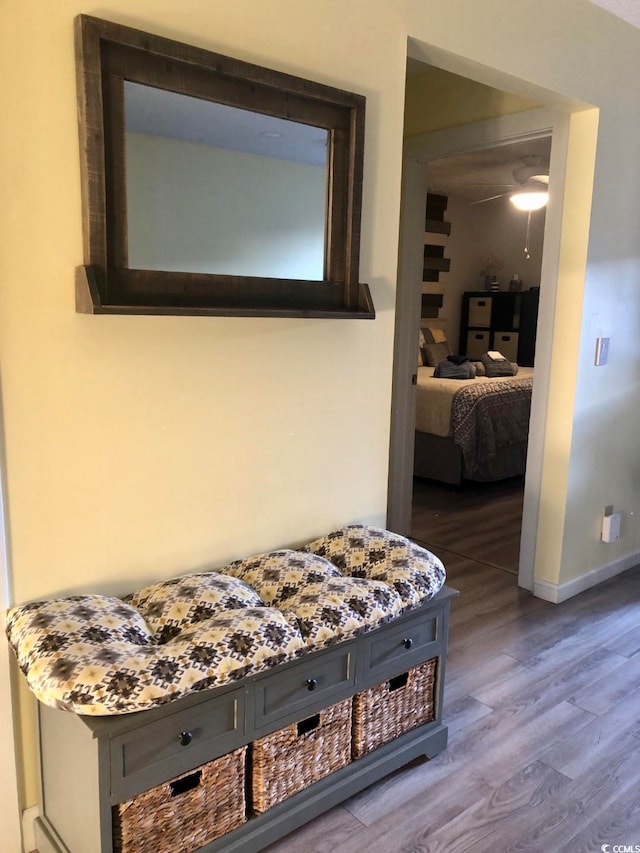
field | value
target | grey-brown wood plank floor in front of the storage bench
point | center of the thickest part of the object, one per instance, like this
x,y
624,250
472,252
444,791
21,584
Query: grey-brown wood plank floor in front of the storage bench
x,y
543,707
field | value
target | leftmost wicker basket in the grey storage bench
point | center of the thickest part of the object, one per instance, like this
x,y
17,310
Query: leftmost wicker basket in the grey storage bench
x,y
185,813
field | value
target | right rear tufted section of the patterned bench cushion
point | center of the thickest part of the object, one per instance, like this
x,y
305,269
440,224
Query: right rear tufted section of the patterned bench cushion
x,y
368,552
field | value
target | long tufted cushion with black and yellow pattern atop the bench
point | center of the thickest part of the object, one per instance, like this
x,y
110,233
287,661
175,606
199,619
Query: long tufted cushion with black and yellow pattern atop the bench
x,y
97,655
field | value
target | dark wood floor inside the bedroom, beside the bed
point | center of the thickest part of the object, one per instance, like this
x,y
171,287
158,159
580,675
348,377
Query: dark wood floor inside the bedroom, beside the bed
x,y
477,520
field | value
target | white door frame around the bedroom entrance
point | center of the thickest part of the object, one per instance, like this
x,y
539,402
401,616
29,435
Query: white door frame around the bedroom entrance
x,y
417,154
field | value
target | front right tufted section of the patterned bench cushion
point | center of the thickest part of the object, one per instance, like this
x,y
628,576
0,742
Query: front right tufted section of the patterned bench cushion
x,y
339,608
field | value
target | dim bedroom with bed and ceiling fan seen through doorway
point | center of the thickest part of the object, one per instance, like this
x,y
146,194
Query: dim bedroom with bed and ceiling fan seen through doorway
x,y
480,294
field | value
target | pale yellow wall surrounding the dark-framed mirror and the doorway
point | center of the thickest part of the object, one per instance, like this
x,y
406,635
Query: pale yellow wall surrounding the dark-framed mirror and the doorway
x,y
138,448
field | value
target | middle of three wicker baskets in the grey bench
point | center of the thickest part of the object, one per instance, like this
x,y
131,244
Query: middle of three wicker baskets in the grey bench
x,y
294,757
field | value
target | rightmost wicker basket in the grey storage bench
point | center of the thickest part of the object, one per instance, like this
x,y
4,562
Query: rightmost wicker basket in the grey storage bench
x,y
387,710
